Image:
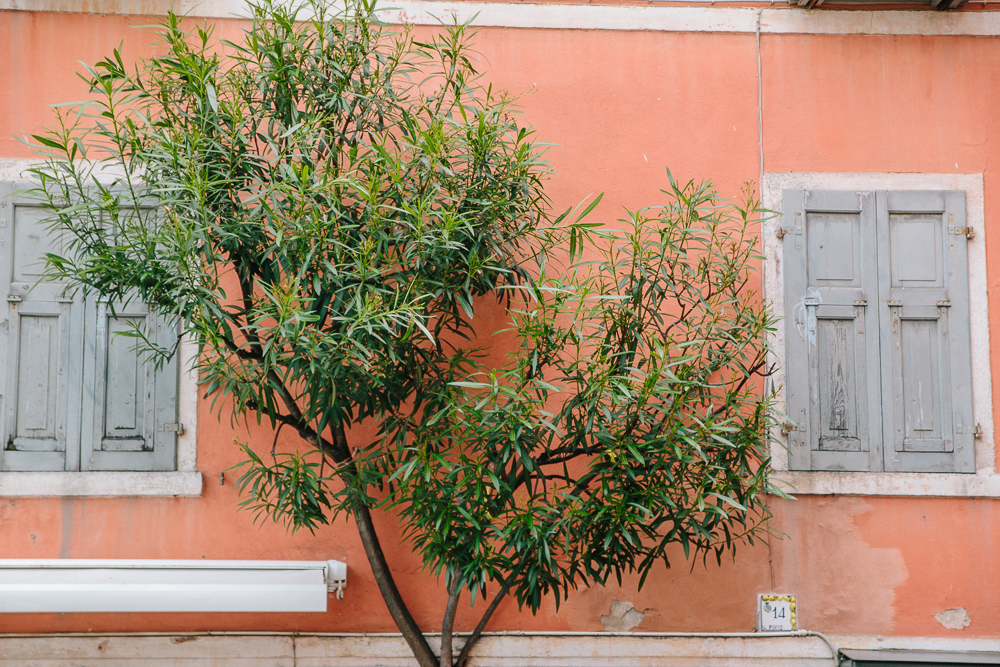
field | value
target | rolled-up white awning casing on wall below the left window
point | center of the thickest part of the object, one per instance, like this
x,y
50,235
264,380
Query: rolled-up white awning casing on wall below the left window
x,y
168,585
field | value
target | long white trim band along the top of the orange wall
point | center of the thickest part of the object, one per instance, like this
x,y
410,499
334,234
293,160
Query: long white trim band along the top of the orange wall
x,y
692,18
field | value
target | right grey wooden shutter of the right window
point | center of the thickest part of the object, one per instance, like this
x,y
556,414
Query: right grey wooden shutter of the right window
x,y
925,338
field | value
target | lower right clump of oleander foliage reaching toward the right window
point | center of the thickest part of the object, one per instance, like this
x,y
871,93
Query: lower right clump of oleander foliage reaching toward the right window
x,y
630,417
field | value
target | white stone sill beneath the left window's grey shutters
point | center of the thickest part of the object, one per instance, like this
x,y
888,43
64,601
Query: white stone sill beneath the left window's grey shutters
x,y
99,484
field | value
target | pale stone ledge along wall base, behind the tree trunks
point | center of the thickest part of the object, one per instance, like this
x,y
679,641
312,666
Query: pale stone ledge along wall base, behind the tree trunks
x,y
497,650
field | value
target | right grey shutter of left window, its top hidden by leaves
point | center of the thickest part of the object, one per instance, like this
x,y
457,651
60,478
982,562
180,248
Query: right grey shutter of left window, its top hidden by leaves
x,y
132,424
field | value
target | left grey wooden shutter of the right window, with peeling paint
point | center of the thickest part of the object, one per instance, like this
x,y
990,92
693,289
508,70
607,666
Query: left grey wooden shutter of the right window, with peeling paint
x,y
832,383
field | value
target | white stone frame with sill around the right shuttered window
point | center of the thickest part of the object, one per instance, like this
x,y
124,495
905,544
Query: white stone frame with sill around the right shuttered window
x,y
985,482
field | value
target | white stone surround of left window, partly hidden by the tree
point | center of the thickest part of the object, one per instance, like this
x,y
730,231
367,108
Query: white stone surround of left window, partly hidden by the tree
x,y
185,481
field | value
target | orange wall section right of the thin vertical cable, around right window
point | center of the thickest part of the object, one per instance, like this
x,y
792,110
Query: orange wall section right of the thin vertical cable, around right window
x,y
889,104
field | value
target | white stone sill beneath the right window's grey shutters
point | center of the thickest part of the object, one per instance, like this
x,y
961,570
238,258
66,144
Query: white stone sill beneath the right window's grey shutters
x,y
985,484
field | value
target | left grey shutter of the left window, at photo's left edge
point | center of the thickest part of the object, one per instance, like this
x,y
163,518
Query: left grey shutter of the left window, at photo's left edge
x,y
40,346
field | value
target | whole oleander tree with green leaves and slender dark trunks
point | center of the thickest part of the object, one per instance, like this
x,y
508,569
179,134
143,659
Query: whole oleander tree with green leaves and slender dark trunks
x,y
340,206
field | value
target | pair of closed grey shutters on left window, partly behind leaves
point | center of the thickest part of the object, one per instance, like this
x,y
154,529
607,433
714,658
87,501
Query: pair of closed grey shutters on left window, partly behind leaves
x,y
74,396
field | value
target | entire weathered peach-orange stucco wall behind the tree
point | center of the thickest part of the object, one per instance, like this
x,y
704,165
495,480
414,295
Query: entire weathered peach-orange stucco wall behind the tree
x,y
620,107
